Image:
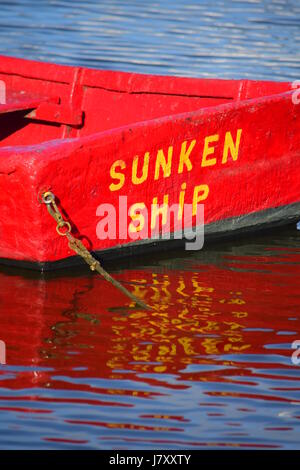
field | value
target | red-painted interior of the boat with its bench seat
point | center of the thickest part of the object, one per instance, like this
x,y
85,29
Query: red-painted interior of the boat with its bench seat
x,y
40,102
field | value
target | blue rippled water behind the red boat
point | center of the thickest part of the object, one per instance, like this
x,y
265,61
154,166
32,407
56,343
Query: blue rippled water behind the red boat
x,y
251,38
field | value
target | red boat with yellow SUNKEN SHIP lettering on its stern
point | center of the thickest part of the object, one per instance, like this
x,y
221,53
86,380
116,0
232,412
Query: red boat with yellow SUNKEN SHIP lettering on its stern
x,y
92,136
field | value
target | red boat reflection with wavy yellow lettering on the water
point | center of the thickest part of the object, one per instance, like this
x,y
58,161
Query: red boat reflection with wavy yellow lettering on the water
x,y
200,315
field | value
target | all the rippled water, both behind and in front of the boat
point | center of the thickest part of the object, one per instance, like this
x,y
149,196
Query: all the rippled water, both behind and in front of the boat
x,y
211,365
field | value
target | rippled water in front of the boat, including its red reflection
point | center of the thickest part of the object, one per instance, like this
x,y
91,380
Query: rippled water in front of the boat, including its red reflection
x,y
209,367
